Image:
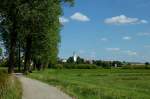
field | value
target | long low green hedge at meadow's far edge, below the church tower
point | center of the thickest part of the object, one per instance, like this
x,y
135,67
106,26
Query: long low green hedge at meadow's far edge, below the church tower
x,y
74,66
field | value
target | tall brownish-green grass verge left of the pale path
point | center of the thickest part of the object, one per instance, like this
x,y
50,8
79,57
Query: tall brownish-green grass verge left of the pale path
x,y
10,87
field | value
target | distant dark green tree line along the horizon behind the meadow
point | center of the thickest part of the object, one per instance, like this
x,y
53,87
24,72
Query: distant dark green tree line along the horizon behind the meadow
x,y
101,63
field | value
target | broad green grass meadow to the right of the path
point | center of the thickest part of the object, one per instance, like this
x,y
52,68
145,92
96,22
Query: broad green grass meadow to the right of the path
x,y
99,83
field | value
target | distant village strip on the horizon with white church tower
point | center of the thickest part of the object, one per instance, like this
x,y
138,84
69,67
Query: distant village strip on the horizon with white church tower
x,y
78,60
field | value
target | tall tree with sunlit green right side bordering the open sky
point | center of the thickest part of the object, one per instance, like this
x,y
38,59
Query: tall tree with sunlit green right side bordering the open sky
x,y
44,26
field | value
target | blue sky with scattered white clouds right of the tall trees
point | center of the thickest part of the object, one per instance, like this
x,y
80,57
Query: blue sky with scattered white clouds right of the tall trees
x,y
107,30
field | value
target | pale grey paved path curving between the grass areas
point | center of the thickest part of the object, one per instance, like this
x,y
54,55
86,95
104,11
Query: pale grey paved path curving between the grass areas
x,y
33,89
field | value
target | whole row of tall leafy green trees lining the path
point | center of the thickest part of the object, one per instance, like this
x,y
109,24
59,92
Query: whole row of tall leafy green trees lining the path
x,y
31,27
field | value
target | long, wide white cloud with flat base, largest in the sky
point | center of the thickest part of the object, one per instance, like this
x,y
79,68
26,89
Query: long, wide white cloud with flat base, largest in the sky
x,y
122,19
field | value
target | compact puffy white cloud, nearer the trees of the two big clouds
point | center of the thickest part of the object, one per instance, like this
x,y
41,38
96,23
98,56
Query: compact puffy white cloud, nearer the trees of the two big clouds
x,y
80,17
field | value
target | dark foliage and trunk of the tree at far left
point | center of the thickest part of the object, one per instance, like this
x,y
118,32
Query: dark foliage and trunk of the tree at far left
x,y
9,11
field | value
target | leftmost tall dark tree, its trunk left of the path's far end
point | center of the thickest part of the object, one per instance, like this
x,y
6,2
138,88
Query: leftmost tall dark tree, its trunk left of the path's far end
x,y
9,10
